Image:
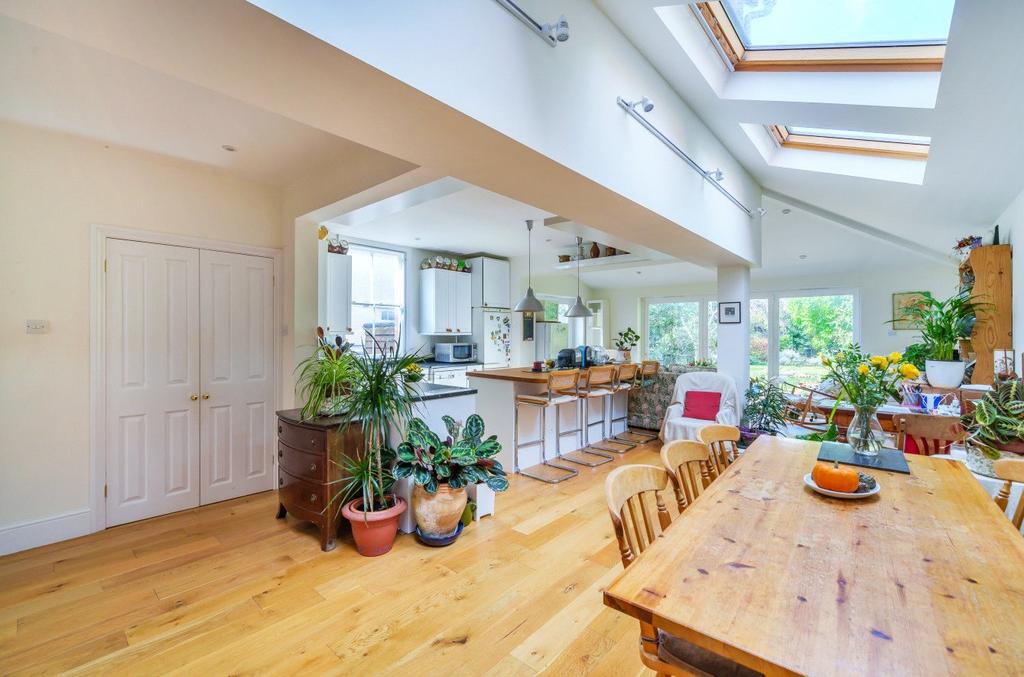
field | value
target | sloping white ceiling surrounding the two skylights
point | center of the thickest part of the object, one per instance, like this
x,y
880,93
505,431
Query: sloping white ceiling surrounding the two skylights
x,y
974,168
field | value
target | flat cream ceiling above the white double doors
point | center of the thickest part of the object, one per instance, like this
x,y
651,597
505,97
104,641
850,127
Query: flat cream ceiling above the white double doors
x,y
53,82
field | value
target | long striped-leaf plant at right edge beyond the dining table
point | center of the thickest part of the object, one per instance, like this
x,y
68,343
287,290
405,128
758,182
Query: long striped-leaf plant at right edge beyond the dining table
x,y
996,427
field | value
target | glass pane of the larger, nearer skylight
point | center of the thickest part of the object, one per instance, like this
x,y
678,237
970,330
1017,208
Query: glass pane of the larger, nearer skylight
x,y
815,24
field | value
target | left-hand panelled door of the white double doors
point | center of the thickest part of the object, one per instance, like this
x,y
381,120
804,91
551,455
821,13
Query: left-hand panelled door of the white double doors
x,y
152,357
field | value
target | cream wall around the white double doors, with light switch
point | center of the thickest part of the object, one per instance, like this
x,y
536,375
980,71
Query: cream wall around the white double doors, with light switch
x,y
53,188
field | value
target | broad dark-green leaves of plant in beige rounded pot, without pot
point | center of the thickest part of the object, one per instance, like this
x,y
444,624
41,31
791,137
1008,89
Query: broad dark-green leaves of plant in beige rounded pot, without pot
x,y
463,458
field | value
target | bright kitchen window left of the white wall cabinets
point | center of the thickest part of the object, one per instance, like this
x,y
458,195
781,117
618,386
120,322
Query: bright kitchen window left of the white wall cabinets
x,y
378,298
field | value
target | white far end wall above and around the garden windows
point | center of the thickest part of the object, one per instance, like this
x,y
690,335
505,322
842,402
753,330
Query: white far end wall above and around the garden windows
x,y
875,289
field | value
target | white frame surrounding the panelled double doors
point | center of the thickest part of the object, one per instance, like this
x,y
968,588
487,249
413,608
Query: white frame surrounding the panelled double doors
x,y
100,234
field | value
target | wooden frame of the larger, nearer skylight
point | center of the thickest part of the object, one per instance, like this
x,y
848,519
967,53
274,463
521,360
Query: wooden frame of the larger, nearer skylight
x,y
897,58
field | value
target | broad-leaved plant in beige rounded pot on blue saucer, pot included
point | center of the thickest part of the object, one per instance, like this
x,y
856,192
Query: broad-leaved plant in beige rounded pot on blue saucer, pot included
x,y
442,471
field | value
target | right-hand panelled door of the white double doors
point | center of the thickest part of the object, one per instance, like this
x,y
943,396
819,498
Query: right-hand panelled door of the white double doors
x,y
237,350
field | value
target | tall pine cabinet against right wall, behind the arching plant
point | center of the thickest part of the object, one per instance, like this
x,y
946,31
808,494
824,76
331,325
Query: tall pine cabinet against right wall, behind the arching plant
x,y
989,273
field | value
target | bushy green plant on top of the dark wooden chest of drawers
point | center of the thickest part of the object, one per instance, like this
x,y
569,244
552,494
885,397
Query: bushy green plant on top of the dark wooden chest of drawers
x,y
324,378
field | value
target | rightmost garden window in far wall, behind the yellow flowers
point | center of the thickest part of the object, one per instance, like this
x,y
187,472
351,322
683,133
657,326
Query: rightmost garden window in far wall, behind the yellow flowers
x,y
809,326
